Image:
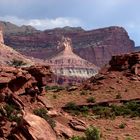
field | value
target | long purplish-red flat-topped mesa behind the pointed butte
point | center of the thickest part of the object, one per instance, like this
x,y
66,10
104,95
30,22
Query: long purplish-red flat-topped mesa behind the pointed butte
x,y
96,46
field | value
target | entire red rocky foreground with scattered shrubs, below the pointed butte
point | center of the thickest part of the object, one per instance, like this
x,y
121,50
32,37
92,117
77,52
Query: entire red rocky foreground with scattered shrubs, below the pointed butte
x,y
28,111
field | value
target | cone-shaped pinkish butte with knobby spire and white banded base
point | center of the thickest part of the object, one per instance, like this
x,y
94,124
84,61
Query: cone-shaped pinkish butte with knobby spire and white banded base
x,y
66,63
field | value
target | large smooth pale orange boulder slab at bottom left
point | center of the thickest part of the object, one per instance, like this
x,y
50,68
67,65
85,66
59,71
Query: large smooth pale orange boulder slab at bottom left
x,y
37,127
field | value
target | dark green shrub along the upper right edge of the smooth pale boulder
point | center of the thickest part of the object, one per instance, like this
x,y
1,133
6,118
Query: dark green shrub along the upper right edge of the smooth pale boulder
x,y
43,114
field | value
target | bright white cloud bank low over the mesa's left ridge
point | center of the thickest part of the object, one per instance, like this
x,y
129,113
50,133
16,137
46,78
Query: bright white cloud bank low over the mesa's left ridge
x,y
44,23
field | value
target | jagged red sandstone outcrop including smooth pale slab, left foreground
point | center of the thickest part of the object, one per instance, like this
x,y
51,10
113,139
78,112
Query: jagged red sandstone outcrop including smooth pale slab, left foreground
x,y
20,92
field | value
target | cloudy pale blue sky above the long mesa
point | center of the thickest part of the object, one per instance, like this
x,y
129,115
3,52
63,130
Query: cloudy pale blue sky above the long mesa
x,y
89,14
